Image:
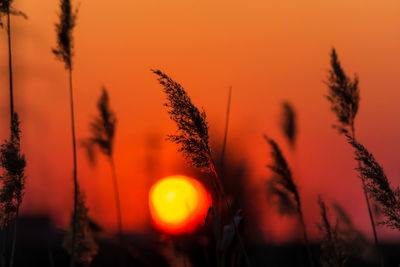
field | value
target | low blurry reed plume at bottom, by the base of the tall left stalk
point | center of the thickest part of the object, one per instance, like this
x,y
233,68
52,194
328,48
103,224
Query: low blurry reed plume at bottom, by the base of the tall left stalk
x,y
84,245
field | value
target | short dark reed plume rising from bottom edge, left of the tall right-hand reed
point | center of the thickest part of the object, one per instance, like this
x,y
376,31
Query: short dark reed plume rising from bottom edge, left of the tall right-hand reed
x,y
332,246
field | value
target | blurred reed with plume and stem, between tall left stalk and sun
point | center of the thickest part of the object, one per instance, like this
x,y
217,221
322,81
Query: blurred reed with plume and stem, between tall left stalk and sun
x,y
102,129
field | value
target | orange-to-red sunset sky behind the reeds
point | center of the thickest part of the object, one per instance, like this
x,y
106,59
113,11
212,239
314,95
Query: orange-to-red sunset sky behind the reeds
x,y
268,51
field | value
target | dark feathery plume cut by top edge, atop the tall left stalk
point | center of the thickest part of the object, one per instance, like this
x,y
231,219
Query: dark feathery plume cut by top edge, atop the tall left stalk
x,y
64,51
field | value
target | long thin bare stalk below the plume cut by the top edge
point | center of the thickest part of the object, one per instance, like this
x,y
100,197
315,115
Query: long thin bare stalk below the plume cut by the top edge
x,y
76,187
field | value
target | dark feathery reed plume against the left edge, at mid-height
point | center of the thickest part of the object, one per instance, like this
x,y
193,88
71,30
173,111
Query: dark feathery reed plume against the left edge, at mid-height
x,y
13,179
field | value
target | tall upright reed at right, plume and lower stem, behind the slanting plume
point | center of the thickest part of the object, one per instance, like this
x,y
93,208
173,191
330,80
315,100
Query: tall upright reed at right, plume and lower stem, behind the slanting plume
x,y
344,96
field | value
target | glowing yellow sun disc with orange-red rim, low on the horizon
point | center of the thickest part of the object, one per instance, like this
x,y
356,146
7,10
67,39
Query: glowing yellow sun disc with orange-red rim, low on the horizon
x,y
178,204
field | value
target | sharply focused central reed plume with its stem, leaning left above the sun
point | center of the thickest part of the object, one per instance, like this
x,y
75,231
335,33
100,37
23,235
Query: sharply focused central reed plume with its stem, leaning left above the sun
x,y
192,137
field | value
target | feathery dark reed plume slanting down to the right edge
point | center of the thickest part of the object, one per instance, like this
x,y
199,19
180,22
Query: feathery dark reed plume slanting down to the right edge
x,y
377,185
